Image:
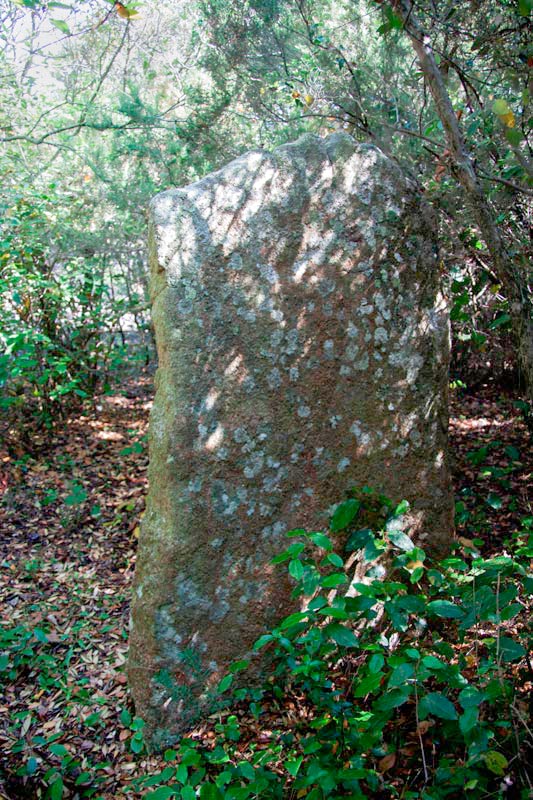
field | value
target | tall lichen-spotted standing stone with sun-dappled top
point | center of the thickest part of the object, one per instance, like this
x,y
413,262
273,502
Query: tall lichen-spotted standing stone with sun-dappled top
x,y
303,350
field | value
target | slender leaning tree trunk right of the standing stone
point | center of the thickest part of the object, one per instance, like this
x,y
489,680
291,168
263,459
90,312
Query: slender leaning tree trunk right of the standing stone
x,y
512,277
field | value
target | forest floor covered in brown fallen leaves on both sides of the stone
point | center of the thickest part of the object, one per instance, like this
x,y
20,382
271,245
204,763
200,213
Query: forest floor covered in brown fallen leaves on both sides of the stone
x,y
69,523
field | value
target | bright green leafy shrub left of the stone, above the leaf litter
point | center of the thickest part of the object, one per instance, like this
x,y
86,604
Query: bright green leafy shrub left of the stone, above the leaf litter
x,y
59,325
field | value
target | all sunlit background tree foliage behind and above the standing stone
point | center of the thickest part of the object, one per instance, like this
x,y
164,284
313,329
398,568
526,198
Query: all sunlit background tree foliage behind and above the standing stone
x,y
159,97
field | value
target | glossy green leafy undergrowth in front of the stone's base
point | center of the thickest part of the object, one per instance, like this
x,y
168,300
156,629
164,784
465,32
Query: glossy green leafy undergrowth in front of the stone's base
x,y
411,677
